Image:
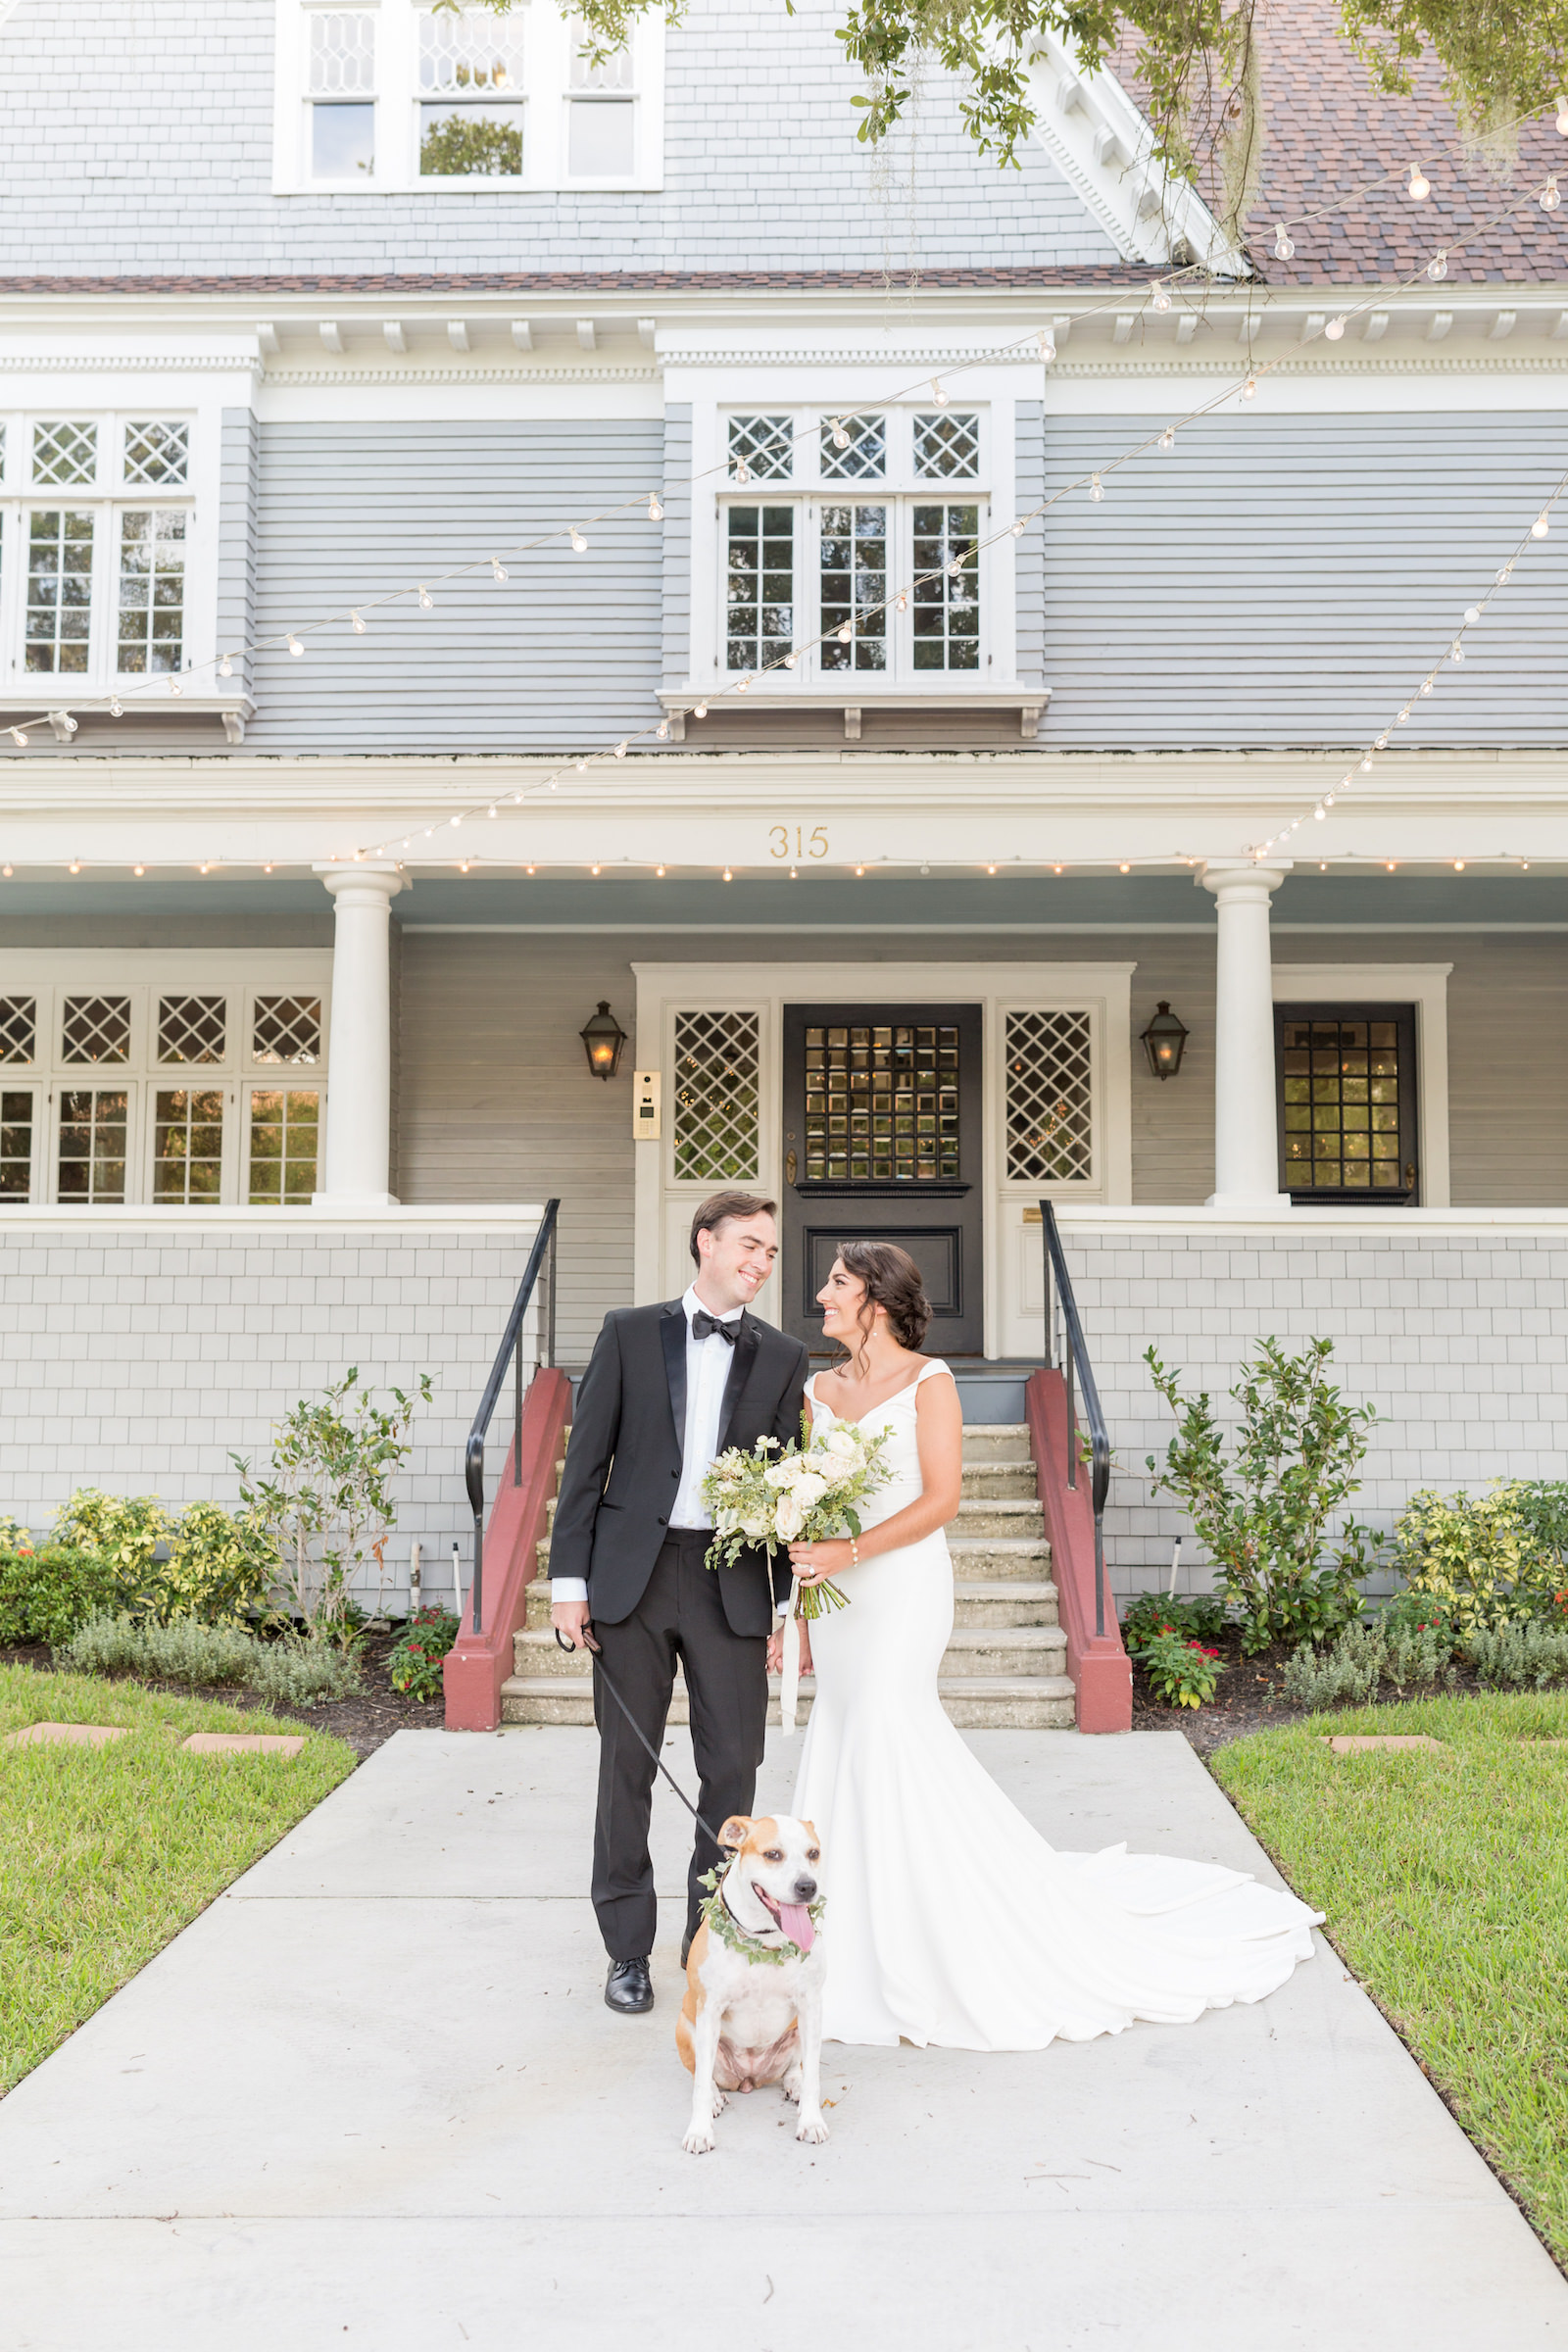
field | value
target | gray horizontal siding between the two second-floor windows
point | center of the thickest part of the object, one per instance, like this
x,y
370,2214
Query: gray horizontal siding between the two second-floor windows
x,y
563,655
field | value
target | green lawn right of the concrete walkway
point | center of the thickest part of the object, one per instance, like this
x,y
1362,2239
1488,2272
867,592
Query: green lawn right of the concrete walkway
x,y
1447,1890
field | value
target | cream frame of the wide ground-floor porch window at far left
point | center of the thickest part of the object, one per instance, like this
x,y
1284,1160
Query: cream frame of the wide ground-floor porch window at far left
x,y
145,975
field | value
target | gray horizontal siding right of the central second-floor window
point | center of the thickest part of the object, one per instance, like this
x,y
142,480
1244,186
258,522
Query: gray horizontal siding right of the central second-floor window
x,y
1289,580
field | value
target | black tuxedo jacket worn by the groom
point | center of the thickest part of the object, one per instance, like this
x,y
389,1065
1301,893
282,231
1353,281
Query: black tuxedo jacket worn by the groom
x,y
624,1459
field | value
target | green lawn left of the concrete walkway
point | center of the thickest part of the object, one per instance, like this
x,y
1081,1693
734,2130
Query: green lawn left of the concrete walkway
x,y
107,1855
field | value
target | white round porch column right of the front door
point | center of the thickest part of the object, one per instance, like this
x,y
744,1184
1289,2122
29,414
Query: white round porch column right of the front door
x,y
1245,1114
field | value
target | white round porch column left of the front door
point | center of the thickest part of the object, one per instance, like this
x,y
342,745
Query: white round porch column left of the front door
x,y
361,1081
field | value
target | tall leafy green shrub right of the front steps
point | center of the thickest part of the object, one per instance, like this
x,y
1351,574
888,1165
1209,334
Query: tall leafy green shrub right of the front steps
x,y
1264,1509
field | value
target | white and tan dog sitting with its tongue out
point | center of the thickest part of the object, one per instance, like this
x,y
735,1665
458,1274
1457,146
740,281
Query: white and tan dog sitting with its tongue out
x,y
753,2005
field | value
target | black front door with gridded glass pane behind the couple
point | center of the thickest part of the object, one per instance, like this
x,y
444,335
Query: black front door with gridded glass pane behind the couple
x,y
883,1144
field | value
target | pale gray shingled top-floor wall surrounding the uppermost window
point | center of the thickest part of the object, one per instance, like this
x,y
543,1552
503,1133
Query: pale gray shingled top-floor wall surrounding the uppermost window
x,y
119,163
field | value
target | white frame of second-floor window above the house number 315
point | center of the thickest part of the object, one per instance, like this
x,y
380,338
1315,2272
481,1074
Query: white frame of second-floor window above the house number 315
x,y
991,488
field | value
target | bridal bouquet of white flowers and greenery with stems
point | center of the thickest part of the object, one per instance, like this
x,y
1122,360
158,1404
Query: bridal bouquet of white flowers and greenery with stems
x,y
793,1495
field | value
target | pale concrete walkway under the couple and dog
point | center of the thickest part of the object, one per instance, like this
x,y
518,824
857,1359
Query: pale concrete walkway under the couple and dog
x,y
373,2097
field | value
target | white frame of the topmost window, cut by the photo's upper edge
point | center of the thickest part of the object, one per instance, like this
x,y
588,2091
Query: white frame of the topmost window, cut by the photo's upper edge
x,y
547,105
